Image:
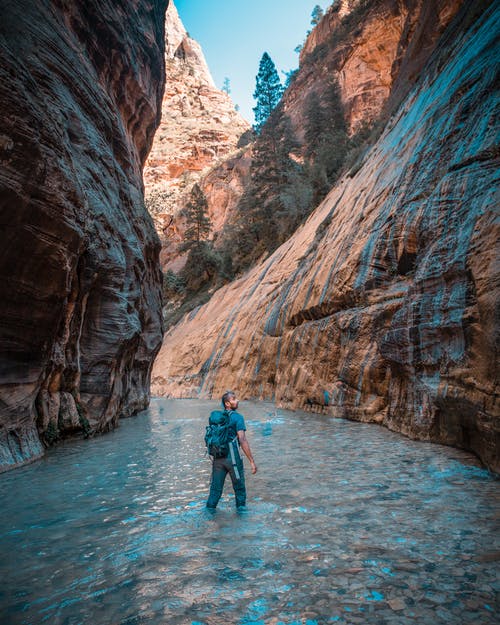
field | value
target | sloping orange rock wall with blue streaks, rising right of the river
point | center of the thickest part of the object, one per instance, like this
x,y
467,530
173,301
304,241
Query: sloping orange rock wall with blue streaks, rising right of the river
x,y
387,297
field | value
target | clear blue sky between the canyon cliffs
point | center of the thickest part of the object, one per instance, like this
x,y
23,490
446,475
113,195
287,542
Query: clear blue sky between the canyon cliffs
x,y
234,34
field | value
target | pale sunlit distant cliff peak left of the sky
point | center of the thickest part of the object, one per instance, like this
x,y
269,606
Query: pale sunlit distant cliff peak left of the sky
x,y
200,129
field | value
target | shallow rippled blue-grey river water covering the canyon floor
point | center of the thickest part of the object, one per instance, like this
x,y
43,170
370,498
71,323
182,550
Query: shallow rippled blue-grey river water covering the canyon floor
x,y
346,523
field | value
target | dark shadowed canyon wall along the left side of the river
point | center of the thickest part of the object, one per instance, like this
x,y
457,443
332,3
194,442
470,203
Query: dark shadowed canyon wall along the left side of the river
x,y
80,315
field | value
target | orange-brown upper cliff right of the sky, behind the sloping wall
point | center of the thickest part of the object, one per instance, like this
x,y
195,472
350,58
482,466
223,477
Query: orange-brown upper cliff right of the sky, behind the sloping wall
x,y
375,50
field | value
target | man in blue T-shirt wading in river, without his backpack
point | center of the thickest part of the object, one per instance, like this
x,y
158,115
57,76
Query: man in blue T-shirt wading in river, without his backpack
x,y
222,466
